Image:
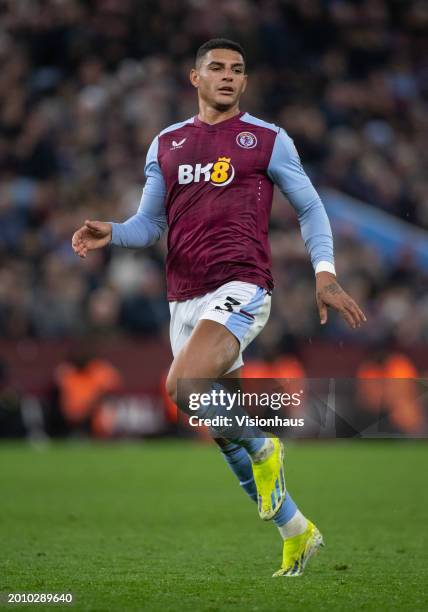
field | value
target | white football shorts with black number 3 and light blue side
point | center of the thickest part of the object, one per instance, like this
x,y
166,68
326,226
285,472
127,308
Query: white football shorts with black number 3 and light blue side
x,y
241,307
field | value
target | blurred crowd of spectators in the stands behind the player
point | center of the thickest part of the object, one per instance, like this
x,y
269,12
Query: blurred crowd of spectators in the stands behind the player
x,y
86,85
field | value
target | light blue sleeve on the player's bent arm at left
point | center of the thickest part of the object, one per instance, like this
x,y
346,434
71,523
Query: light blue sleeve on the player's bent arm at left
x,y
148,224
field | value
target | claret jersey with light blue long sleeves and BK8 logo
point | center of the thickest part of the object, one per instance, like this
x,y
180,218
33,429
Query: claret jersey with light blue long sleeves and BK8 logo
x,y
212,186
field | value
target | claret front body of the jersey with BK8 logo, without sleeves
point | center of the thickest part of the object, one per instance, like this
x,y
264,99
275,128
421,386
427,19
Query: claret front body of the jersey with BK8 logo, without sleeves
x,y
218,202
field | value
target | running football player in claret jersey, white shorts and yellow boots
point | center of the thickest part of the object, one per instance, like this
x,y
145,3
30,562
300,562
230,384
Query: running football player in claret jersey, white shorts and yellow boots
x,y
210,180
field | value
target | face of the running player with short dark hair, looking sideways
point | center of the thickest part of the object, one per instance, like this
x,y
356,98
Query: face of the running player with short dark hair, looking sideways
x,y
220,78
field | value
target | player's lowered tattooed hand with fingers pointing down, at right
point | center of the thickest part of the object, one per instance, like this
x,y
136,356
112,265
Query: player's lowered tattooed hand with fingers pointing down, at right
x,y
330,293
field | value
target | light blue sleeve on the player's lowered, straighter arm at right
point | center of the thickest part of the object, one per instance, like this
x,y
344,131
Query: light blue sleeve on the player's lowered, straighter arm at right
x,y
286,171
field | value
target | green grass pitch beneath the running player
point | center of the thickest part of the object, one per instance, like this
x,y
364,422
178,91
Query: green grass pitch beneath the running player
x,y
164,526
